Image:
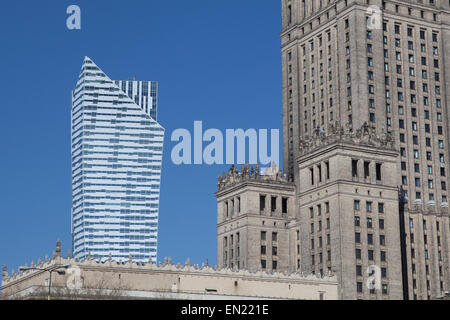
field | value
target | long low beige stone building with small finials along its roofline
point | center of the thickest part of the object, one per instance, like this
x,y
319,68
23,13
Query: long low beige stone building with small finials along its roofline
x,y
90,279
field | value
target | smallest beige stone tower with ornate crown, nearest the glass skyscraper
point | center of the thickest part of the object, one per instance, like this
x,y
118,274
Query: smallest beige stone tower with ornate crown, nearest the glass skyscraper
x,y
253,213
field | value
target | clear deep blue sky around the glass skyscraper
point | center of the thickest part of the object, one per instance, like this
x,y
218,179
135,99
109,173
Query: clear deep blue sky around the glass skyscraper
x,y
215,61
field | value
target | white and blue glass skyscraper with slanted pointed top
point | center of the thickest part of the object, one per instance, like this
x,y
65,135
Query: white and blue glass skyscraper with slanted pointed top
x,y
117,147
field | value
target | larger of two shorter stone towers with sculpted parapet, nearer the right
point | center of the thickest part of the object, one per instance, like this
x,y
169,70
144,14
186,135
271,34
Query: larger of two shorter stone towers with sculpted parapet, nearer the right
x,y
349,211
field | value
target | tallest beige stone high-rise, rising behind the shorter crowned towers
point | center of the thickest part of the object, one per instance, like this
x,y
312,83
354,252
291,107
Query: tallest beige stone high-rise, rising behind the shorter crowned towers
x,y
384,63
